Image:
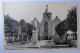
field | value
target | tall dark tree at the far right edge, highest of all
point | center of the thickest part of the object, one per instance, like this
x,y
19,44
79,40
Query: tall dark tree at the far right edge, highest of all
x,y
72,19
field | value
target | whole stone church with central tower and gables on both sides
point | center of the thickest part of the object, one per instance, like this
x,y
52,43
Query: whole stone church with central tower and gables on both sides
x,y
46,29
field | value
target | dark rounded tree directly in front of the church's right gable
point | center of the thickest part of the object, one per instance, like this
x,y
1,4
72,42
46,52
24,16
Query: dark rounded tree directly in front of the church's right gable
x,y
61,28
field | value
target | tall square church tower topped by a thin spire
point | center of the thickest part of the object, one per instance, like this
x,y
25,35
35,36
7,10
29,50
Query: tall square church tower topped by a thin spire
x,y
46,25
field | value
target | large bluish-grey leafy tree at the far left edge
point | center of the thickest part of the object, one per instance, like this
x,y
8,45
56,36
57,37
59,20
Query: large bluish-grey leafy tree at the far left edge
x,y
11,27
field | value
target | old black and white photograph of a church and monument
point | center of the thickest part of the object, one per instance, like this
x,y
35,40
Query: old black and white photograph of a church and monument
x,y
40,25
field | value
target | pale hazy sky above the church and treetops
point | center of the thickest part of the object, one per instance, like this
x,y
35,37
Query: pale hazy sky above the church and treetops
x,y
30,10
